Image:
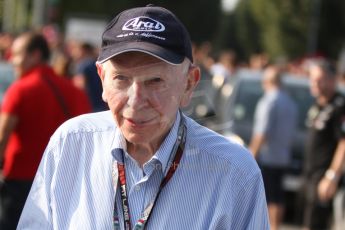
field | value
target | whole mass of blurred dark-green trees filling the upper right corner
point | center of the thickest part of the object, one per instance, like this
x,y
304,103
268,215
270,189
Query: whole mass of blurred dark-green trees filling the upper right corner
x,y
288,28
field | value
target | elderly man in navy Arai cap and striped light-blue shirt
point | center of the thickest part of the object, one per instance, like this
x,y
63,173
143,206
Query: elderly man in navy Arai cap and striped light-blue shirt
x,y
153,167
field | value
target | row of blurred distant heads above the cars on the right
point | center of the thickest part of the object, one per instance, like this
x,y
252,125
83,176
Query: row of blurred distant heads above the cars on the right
x,y
226,62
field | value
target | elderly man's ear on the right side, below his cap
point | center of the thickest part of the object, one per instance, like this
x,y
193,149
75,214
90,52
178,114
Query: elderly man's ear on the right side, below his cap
x,y
192,81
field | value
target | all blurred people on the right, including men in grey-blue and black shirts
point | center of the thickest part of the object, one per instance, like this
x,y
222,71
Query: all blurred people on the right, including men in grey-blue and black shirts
x,y
324,151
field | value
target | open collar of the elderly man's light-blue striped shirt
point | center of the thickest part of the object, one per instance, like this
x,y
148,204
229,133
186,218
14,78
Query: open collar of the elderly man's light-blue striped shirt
x,y
162,154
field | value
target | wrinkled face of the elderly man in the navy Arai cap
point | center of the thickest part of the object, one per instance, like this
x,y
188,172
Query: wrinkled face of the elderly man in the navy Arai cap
x,y
144,94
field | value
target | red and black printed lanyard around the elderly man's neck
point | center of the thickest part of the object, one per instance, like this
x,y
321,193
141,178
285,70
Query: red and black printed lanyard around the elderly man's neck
x,y
177,152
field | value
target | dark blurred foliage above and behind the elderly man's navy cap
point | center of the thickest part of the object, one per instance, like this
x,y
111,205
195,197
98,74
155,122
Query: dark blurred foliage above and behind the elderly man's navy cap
x,y
200,16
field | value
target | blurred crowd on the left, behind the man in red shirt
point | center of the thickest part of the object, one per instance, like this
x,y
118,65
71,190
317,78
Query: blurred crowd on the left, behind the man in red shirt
x,y
72,59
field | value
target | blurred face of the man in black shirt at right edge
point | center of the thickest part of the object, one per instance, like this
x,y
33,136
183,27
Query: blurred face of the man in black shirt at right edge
x,y
320,84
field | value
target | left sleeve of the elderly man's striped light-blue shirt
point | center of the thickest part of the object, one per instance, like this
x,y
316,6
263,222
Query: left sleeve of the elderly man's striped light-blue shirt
x,y
37,213
